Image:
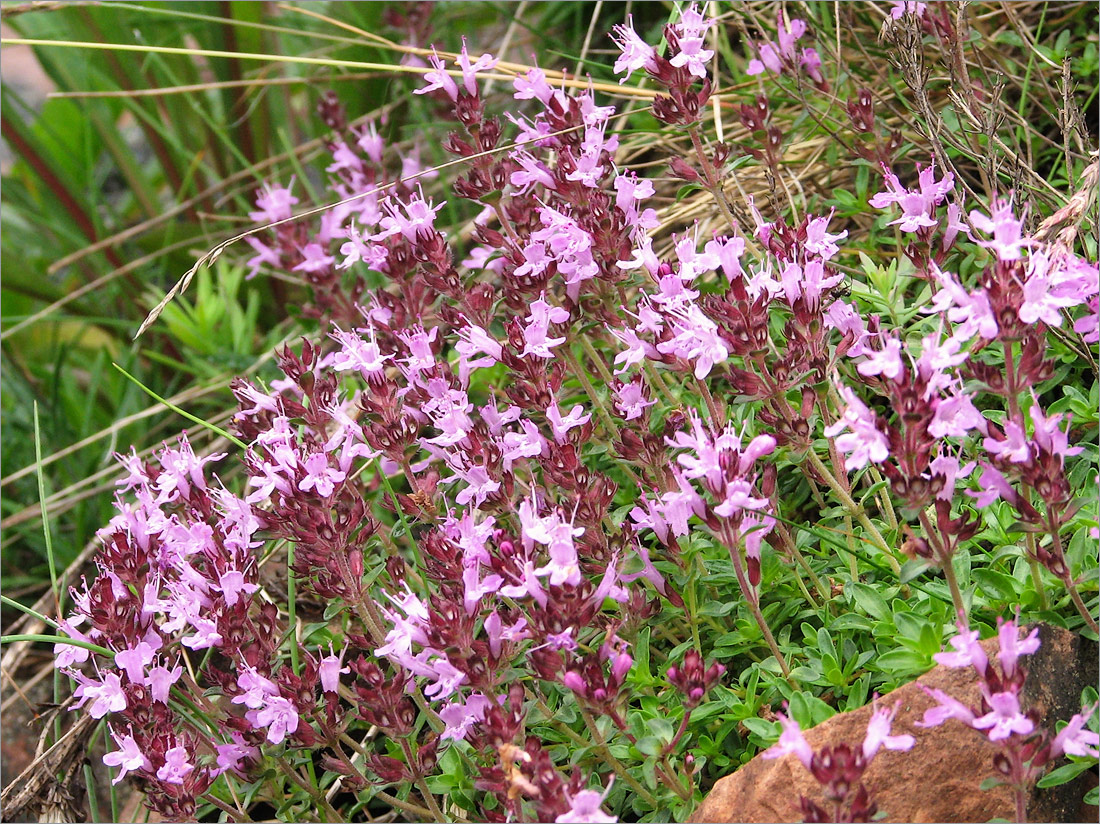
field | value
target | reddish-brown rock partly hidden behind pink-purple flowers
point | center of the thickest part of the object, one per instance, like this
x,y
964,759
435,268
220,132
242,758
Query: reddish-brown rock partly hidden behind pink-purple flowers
x,y
940,779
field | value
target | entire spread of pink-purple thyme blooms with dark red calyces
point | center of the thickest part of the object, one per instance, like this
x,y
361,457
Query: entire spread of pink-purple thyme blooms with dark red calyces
x,y
468,506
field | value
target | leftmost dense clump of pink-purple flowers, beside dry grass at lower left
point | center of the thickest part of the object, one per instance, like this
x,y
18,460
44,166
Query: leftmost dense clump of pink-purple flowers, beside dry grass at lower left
x,y
178,576
